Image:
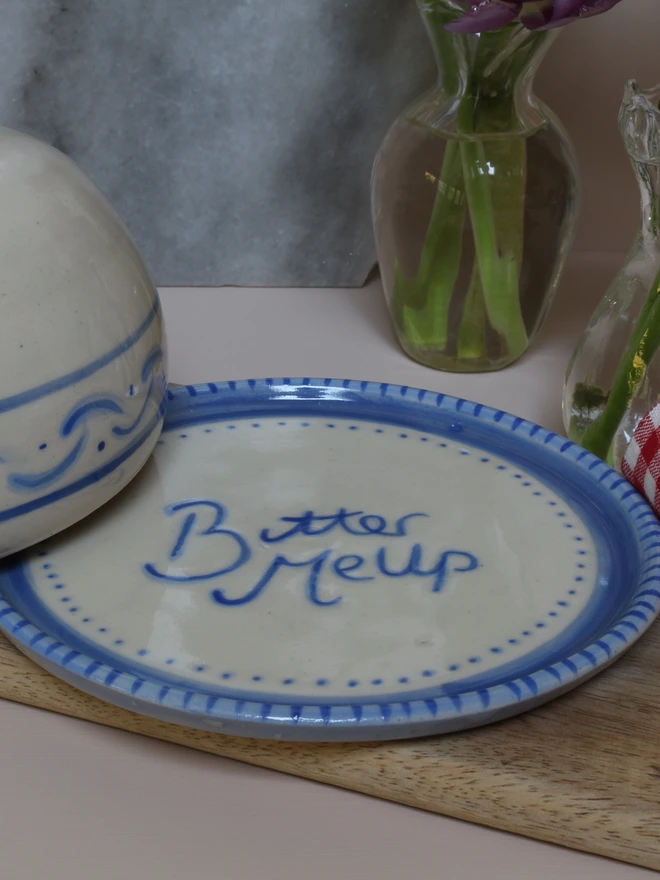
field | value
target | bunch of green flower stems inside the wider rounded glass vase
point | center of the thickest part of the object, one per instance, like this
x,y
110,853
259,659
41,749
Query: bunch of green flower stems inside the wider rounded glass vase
x,y
484,167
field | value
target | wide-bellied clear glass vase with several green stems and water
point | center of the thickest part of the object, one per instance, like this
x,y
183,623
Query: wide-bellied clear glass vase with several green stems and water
x,y
475,195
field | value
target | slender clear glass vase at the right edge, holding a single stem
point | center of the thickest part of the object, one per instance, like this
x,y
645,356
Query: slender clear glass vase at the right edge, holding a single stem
x,y
613,378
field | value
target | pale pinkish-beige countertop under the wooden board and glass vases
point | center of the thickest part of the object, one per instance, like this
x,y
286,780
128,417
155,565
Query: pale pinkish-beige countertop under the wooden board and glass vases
x,y
81,801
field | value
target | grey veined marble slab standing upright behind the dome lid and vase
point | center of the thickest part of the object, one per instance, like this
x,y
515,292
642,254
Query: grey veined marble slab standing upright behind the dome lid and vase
x,y
234,137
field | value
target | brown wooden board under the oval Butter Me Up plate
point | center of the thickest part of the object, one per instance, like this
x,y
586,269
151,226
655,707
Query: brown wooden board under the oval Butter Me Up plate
x,y
583,771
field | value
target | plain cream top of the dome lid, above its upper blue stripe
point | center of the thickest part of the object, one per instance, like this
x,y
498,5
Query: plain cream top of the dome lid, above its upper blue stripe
x,y
72,279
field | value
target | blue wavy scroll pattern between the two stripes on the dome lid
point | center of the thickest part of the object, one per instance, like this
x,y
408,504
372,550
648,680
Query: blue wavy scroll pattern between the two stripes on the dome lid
x,y
90,407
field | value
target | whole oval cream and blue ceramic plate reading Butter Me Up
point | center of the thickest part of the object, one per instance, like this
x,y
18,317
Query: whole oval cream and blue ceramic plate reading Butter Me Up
x,y
328,560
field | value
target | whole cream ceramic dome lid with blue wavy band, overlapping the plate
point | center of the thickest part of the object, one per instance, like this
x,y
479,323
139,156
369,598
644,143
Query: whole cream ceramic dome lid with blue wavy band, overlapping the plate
x,y
82,367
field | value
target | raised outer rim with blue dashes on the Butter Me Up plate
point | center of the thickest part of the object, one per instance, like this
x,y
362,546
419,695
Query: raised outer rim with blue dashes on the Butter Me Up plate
x,y
541,685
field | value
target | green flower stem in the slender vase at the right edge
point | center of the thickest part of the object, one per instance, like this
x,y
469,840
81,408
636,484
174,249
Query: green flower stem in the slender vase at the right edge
x,y
643,345
